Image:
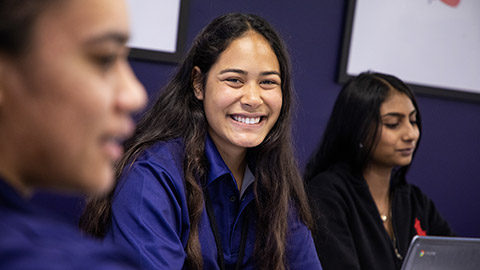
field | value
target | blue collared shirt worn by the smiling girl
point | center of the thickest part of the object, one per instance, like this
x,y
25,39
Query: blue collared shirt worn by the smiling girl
x,y
150,214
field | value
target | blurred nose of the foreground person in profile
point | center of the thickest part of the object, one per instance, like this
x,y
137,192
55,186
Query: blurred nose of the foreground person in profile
x,y
131,96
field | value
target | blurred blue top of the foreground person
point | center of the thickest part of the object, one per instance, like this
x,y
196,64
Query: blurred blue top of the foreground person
x,y
31,238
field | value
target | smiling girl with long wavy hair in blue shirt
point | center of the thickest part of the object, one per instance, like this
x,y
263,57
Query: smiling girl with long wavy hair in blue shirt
x,y
209,179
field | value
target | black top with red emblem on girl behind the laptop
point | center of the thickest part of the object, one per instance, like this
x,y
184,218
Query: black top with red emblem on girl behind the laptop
x,y
349,232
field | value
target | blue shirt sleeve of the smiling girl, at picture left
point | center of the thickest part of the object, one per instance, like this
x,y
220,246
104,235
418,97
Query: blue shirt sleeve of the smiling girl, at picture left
x,y
149,216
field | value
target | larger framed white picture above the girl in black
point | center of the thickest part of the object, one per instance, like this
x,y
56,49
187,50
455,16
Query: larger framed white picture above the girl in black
x,y
433,45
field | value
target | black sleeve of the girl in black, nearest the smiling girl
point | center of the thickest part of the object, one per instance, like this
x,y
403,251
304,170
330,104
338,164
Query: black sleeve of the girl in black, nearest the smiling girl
x,y
332,235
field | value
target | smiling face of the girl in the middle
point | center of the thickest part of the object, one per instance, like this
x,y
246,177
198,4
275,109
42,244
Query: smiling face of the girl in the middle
x,y
242,96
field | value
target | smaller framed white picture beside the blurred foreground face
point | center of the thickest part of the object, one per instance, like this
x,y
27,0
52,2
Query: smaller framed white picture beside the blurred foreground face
x,y
158,29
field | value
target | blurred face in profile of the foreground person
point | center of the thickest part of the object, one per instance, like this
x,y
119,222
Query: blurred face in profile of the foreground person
x,y
65,104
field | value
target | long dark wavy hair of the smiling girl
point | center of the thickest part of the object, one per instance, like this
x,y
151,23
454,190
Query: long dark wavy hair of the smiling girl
x,y
178,113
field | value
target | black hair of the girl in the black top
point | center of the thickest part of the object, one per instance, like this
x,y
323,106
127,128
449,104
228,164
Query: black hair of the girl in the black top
x,y
355,122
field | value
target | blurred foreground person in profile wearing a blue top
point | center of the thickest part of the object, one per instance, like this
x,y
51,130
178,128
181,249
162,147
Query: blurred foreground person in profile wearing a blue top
x,y
66,94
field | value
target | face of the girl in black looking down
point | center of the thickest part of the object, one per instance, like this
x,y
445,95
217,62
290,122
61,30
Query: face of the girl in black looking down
x,y
399,132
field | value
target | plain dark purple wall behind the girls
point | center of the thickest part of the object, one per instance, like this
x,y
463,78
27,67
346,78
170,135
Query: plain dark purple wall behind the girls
x,y
446,163
